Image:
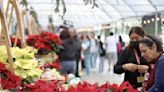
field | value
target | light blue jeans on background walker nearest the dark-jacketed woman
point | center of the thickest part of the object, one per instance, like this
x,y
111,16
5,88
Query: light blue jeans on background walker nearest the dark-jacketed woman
x,y
87,63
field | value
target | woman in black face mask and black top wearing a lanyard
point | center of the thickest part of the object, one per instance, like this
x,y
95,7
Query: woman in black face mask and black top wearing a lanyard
x,y
130,61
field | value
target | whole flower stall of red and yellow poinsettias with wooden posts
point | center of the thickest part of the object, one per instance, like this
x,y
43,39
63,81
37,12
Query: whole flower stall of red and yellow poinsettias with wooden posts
x,y
35,68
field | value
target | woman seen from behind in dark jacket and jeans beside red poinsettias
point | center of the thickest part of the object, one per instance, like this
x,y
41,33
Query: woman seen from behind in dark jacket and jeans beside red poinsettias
x,y
67,54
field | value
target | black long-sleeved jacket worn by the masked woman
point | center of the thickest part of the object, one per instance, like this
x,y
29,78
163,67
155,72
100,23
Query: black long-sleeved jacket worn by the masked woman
x,y
127,56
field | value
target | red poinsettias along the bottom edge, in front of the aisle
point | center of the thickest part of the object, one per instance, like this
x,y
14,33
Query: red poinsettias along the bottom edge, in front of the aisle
x,y
87,87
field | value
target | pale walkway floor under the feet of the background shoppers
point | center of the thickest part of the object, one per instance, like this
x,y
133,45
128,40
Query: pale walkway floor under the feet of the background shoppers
x,y
102,78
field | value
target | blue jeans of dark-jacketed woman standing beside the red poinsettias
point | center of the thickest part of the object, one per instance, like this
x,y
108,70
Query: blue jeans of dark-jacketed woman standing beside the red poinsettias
x,y
68,67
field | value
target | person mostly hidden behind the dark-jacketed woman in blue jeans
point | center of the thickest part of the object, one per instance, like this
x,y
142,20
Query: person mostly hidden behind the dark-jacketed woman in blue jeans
x,y
78,51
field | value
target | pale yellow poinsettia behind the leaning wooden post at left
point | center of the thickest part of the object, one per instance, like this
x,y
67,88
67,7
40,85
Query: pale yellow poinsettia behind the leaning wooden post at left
x,y
25,65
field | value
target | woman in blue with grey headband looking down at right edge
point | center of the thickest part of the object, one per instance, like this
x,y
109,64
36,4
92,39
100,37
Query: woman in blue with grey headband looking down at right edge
x,y
152,51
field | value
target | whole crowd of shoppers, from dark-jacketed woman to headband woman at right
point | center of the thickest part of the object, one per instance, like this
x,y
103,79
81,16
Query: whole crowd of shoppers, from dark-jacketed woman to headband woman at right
x,y
141,59
